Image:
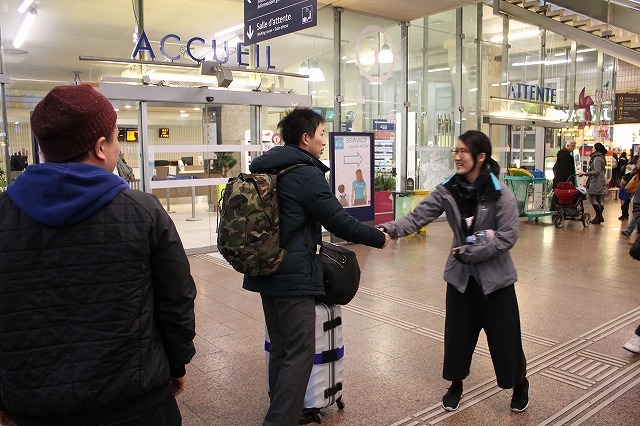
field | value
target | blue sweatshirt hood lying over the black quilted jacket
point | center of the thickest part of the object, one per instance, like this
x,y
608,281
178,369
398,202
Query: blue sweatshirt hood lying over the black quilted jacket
x,y
60,195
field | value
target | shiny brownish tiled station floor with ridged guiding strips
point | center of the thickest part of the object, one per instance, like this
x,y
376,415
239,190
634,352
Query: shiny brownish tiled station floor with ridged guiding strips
x,y
579,296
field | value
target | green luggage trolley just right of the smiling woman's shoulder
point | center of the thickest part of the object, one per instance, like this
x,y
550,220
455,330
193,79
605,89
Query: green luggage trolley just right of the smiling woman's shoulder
x,y
523,187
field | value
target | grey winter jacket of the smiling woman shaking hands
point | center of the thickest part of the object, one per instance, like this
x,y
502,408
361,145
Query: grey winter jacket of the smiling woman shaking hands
x,y
491,264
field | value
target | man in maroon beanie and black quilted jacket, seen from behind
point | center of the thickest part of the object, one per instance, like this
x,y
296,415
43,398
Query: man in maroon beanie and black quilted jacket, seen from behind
x,y
96,295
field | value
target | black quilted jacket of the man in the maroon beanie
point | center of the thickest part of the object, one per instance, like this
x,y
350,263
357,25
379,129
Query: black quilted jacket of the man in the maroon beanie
x,y
95,317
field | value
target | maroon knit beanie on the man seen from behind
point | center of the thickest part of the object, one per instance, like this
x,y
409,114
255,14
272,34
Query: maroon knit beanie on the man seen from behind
x,y
70,119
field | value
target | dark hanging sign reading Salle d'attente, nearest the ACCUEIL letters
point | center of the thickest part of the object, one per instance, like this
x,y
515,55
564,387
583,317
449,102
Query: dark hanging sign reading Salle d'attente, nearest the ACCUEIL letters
x,y
266,19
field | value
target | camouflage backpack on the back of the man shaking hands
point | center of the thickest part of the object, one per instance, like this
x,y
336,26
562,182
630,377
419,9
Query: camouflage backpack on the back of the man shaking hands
x,y
249,223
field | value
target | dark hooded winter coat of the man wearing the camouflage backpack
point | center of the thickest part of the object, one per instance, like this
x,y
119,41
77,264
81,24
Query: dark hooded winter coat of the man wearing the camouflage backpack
x,y
305,199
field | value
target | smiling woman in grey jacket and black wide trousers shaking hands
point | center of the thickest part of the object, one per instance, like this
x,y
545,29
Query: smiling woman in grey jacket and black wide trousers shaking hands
x,y
480,276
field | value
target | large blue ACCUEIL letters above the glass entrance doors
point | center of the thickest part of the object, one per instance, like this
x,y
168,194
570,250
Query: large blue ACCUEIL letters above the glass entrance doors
x,y
143,45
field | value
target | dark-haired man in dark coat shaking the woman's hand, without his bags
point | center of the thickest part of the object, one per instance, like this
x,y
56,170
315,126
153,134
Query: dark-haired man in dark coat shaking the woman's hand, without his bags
x,y
288,295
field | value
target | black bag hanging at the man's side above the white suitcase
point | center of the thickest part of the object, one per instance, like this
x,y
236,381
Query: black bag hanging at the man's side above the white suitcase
x,y
341,274
